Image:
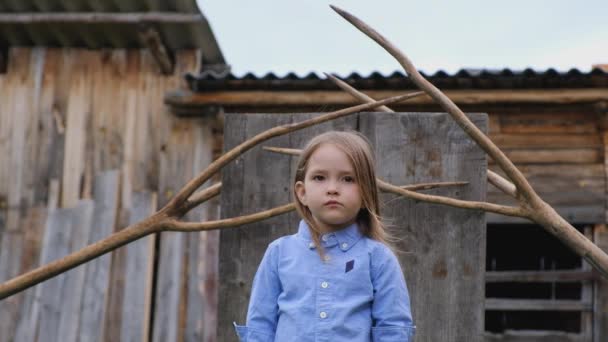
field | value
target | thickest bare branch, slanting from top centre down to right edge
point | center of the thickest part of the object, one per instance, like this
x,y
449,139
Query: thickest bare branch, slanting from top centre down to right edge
x,y
530,203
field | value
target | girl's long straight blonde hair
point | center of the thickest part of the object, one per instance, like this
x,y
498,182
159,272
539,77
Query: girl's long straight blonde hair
x,y
358,150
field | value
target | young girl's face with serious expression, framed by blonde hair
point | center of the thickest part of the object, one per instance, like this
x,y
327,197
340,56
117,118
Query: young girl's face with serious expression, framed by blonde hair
x,y
329,189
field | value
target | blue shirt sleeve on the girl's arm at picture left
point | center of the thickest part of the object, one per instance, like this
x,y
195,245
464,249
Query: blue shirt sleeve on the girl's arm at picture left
x,y
262,313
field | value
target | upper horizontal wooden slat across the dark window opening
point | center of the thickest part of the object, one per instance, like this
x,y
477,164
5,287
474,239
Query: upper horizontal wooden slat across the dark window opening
x,y
539,276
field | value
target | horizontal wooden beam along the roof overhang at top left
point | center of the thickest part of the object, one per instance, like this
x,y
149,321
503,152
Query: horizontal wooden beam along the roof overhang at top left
x,y
100,18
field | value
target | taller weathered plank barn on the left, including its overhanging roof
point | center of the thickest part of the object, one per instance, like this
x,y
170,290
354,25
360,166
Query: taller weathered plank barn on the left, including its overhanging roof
x,y
88,146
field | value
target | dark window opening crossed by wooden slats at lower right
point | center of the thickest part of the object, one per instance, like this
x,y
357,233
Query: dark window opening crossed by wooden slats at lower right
x,y
528,247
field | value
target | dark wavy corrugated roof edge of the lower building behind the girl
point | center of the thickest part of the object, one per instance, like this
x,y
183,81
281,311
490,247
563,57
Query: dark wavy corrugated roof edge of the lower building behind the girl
x,y
463,79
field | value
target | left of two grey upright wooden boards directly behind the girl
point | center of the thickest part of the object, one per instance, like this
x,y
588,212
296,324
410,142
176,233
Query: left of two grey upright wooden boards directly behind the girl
x,y
257,187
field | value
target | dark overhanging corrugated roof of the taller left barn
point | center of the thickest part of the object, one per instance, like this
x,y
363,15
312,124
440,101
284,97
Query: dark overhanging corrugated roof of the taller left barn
x,y
183,35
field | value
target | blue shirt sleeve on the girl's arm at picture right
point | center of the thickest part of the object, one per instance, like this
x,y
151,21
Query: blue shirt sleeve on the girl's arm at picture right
x,y
391,312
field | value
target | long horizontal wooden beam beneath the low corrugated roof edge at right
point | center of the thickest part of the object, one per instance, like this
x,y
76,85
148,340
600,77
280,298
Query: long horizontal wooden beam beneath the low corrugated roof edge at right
x,y
321,98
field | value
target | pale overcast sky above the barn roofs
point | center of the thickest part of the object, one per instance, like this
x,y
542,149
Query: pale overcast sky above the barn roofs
x,y
302,36
